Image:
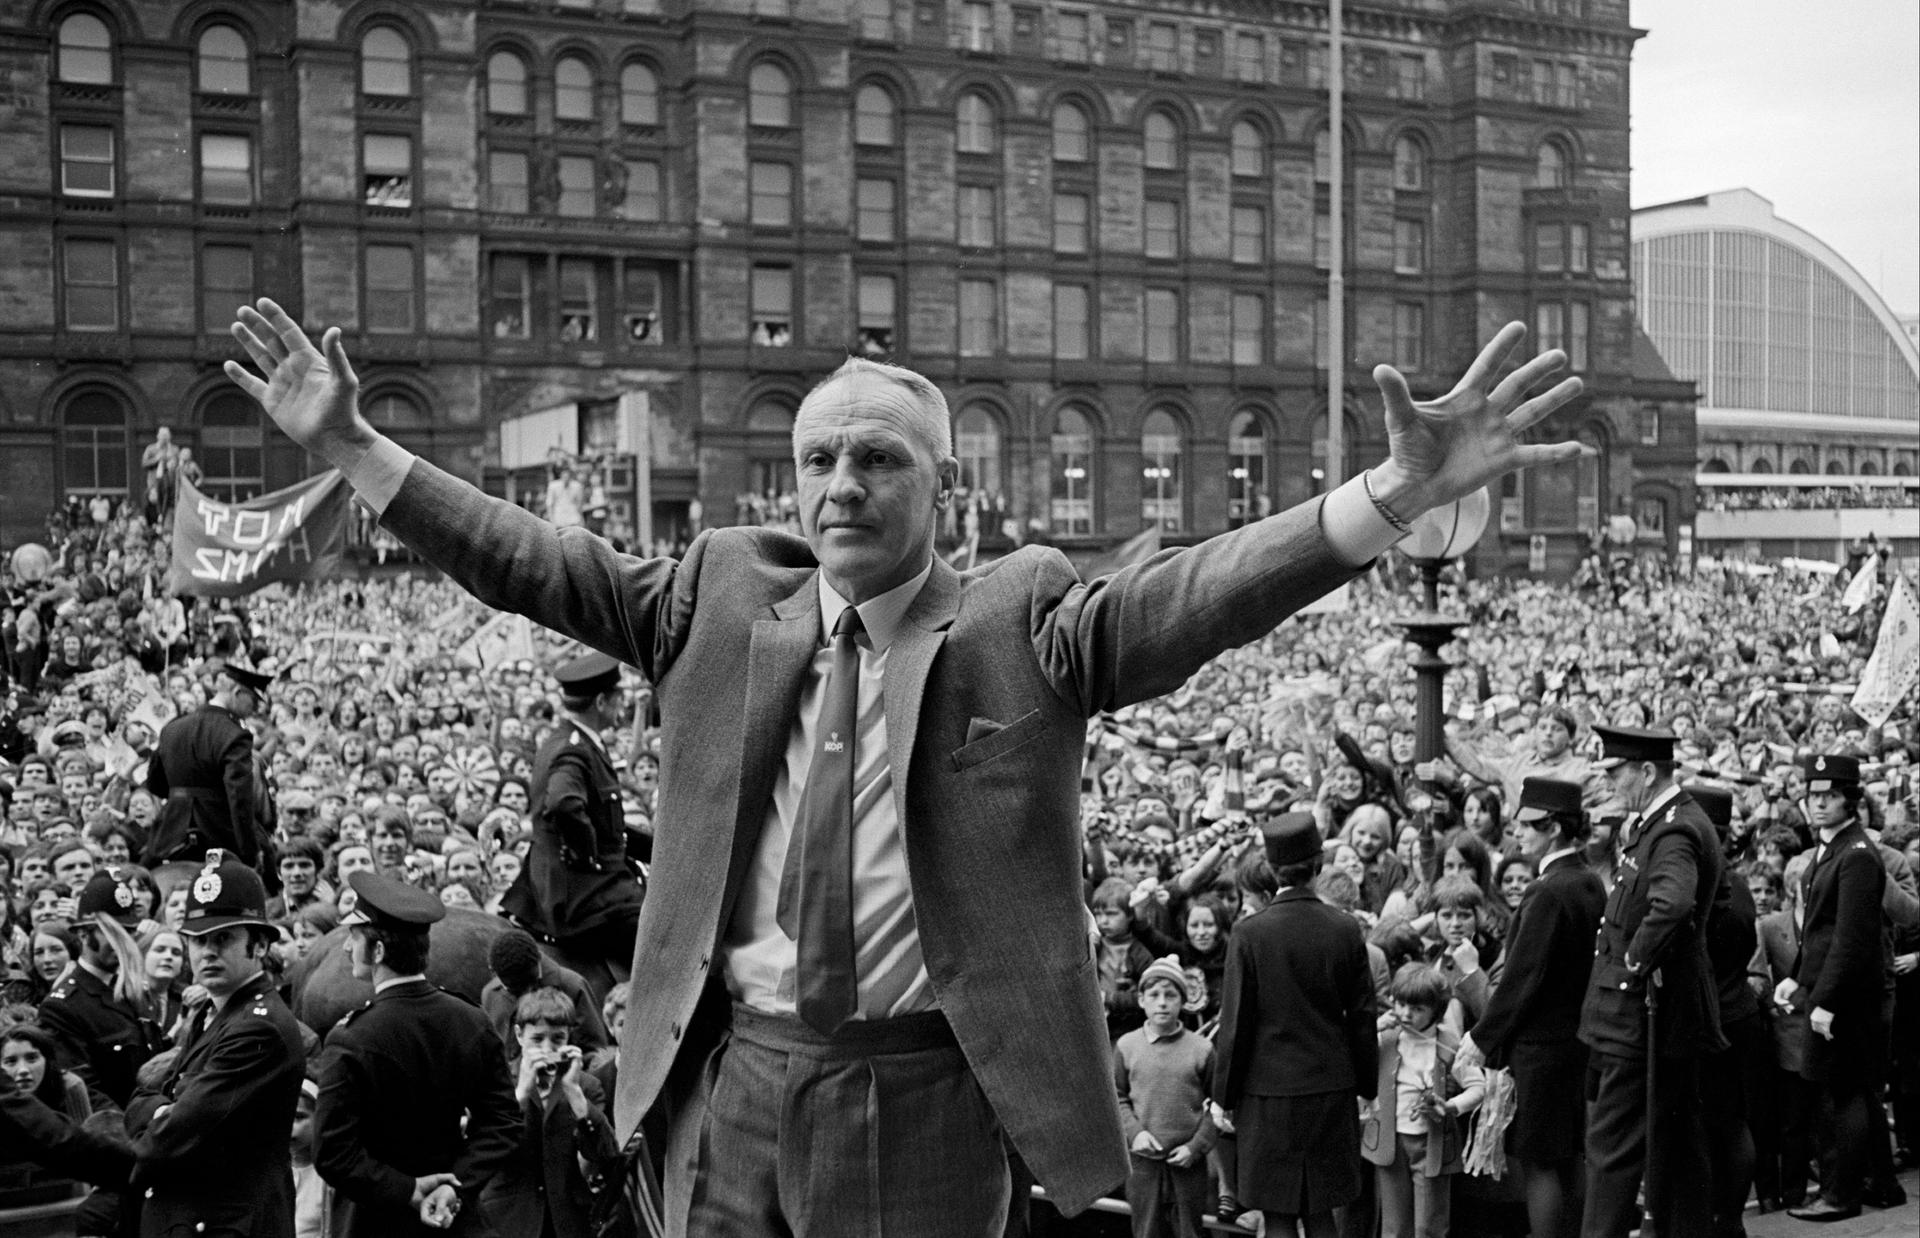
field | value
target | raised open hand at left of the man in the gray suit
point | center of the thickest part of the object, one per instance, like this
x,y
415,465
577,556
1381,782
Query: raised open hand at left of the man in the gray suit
x,y
310,393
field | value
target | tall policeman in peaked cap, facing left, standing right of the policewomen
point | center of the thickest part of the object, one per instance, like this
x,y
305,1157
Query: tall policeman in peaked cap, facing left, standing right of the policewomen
x,y
1652,980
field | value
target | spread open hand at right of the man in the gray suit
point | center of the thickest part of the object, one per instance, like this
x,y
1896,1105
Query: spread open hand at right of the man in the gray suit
x,y
1447,448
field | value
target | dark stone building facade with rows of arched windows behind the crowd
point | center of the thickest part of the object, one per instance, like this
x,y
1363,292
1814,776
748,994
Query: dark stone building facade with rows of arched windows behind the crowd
x,y
1101,227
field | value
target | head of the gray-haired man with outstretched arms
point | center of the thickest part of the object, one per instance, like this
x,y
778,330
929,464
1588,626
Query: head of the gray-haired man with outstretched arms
x,y
871,488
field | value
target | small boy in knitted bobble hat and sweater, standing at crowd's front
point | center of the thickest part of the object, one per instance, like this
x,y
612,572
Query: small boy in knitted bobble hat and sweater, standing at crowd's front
x,y
1163,1074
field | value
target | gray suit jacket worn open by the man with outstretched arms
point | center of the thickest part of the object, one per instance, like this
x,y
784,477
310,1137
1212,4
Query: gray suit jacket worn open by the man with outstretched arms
x,y
992,824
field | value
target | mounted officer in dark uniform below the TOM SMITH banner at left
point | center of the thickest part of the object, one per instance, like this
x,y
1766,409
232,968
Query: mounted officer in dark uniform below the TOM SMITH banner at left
x,y
203,771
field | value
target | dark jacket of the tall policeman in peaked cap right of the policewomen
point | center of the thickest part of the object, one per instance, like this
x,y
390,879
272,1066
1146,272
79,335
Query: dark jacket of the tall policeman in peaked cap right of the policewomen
x,y
1664,888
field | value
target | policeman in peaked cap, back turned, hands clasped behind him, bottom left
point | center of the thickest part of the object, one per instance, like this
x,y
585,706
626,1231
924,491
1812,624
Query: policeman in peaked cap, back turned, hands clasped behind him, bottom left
x,y
400,1076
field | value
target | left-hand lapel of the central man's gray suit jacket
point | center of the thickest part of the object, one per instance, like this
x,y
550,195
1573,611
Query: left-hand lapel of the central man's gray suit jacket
x,y
779,655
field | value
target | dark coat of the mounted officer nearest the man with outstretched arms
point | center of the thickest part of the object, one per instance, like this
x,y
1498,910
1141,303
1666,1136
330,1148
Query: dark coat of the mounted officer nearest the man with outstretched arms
x,y
577,874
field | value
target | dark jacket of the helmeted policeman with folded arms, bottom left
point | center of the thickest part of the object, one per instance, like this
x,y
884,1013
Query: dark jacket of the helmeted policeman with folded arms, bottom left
x,y
218,1160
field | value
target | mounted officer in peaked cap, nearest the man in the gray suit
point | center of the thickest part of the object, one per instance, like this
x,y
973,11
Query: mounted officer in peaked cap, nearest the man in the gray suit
x,y
577,888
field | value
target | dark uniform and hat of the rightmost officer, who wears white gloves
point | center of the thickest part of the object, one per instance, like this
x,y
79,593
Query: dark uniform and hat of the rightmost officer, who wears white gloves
x,y
1844,968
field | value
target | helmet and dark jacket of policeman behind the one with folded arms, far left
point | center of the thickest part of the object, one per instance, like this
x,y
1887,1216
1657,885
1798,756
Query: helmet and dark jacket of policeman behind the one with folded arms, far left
x,y
103,1037
